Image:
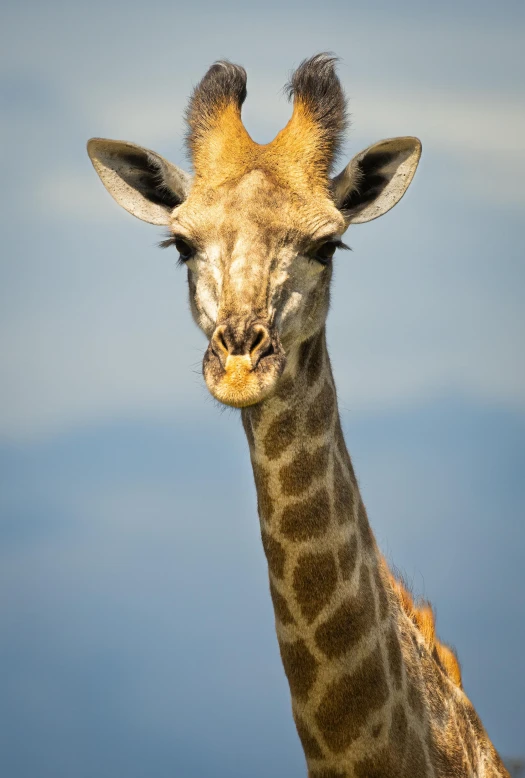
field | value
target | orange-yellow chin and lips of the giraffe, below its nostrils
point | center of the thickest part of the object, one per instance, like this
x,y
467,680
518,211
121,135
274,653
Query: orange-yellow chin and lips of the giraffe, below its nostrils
x,y
239,384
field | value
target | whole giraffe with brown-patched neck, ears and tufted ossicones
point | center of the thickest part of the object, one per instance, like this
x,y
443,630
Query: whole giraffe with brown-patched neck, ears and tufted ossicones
x,y
374,693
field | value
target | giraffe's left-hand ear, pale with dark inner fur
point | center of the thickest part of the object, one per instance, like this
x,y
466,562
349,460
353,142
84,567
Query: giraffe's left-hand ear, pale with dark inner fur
x,y
142,182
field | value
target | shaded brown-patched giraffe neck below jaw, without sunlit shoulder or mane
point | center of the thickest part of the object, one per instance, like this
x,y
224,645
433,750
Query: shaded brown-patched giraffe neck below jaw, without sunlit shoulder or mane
x,y
333,623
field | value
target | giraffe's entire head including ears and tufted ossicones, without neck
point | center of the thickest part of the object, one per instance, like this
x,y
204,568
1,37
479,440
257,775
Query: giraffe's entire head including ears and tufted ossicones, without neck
x,y
258,225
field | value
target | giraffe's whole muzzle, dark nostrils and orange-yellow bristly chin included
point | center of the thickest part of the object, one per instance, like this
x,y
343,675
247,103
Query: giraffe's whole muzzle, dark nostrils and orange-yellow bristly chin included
x,y
243,362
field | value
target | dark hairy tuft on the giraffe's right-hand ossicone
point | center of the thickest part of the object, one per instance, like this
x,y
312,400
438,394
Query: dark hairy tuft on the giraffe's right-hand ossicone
x,y
316,84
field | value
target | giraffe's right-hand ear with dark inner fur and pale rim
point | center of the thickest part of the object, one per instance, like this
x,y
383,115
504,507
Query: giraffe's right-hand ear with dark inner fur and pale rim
x,y
376,179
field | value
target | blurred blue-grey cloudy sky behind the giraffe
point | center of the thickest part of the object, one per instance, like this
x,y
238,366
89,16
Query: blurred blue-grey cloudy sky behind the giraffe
x,y
137,633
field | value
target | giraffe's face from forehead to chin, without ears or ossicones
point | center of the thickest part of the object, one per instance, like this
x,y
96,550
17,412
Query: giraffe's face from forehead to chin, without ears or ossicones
x,y
259,267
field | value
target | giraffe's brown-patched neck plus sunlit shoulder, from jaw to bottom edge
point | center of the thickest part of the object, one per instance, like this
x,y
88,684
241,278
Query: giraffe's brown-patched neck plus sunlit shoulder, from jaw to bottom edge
x,y
368,697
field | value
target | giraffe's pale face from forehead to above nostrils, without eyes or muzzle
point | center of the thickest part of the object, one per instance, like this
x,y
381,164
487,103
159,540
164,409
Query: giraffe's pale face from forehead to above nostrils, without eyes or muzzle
x,y
250,262
